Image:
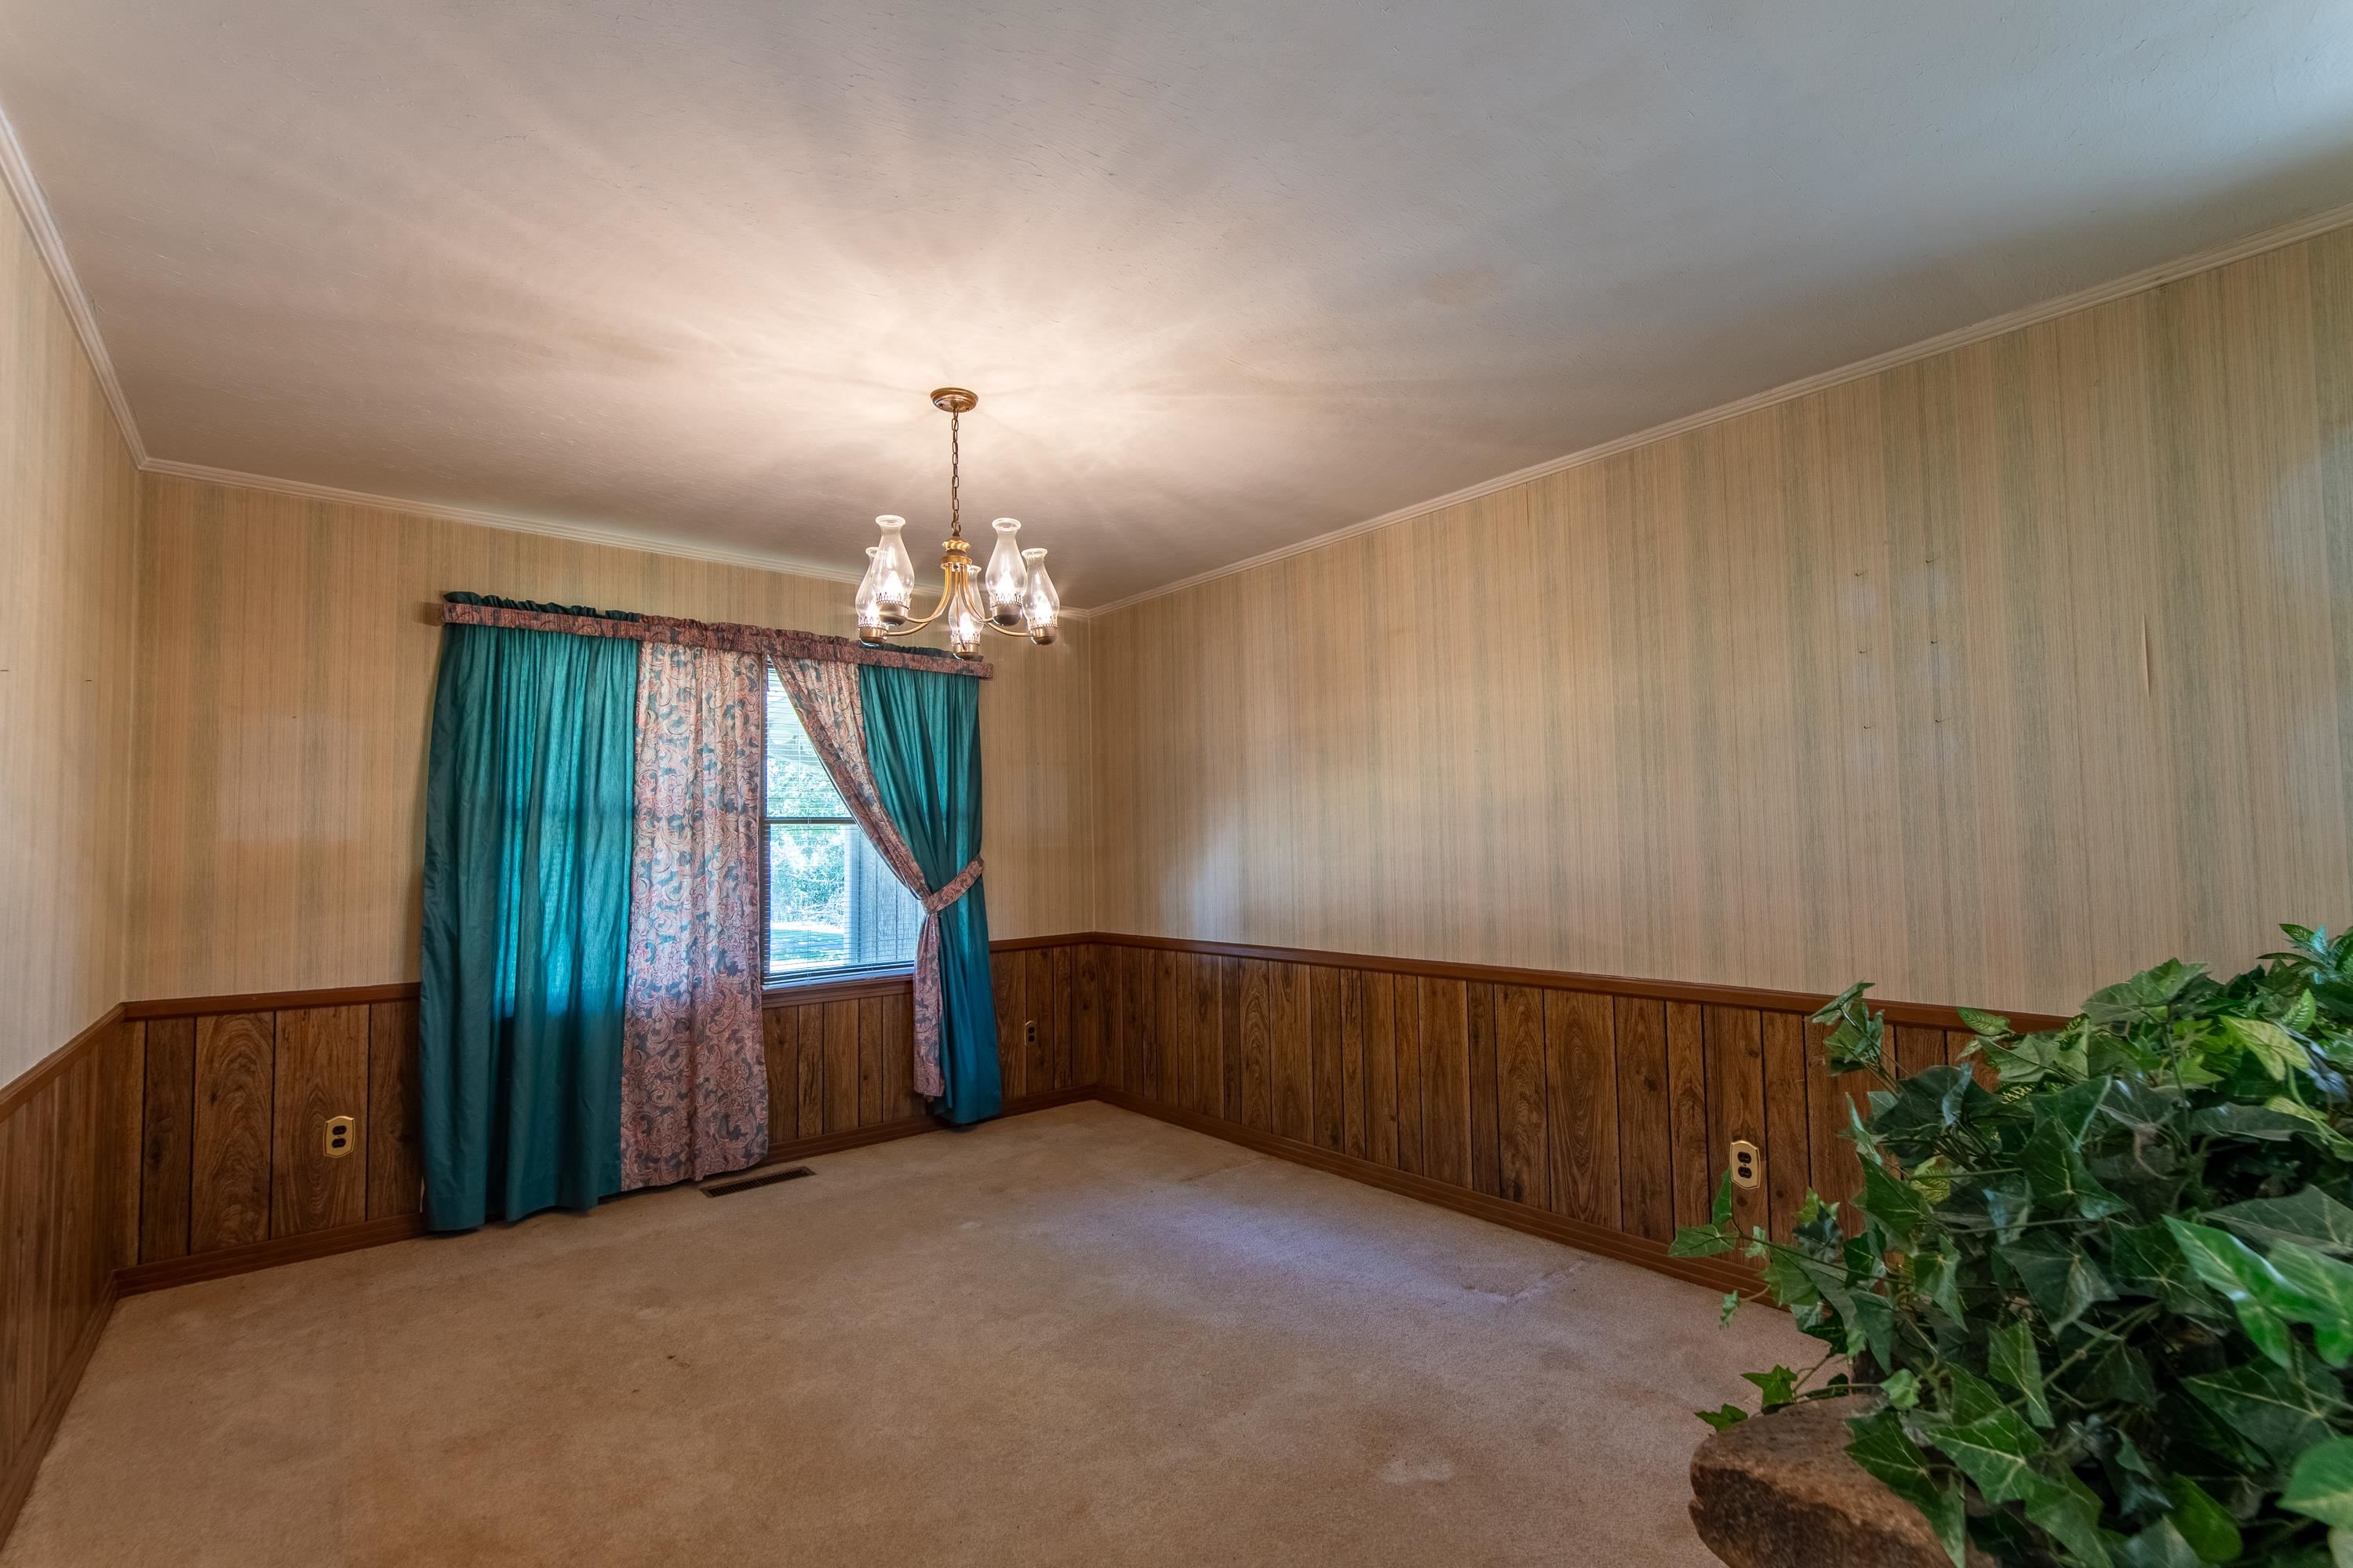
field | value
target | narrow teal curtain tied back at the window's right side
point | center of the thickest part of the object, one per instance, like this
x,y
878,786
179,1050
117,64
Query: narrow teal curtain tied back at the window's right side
x,y
924,744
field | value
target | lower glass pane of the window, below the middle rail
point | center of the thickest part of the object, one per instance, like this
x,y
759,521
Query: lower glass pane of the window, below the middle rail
x,y
834,904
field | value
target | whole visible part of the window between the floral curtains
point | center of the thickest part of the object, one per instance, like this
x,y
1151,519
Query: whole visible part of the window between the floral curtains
x,y
832,902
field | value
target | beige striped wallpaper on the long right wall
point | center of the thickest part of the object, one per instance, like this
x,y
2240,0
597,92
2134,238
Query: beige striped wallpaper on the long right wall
x,y
1987,678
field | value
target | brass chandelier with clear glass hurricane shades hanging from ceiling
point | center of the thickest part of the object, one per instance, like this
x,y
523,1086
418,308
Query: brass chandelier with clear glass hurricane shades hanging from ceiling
x,y
1013,596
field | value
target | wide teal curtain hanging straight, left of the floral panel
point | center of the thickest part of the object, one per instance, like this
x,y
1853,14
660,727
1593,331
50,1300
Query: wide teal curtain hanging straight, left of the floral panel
x,y
526,920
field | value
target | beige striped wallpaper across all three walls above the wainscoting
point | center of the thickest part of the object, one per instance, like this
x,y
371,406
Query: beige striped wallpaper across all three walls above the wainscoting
x,y
1985,678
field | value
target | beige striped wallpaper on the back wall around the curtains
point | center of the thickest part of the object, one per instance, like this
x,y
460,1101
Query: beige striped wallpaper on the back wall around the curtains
x,y
288,683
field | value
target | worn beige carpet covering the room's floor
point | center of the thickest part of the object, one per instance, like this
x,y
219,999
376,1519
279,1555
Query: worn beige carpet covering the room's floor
x,y
1076,1336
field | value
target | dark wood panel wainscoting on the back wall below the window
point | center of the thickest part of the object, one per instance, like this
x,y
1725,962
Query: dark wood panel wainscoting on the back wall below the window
x,y
236,1094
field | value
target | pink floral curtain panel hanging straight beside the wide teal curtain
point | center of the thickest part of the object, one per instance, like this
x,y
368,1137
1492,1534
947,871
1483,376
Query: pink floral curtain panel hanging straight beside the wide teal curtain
x,y
693,1071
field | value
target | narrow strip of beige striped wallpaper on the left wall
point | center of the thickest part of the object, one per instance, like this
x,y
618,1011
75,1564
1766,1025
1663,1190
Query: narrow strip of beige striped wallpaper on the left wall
x,y
69,514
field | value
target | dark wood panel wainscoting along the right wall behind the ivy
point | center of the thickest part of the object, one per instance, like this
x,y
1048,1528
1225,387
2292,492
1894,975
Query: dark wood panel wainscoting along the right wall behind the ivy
x,y
1585,1108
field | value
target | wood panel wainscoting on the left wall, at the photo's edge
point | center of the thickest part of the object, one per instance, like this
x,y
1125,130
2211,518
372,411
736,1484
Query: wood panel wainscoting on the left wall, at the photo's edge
x,y
69,1219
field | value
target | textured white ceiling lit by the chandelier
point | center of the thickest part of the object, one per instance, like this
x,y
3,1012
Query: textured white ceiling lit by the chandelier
x,y
1225,274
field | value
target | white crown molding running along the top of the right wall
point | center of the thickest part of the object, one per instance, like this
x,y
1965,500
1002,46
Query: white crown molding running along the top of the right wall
x,y
1926,349
